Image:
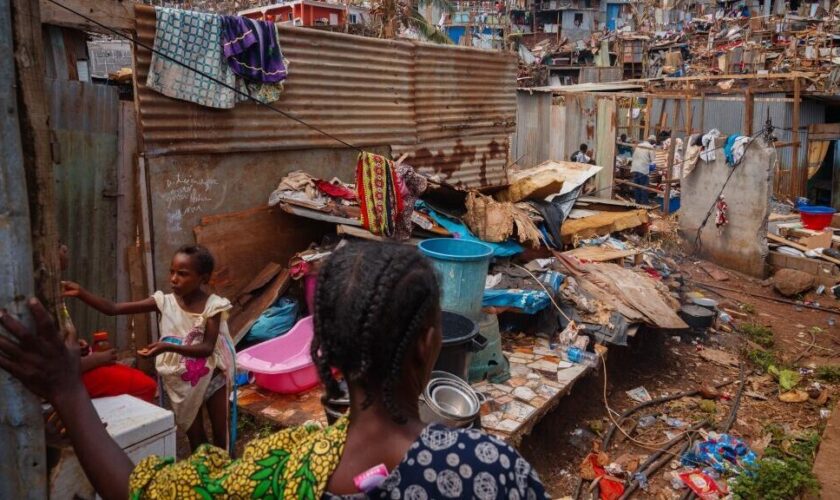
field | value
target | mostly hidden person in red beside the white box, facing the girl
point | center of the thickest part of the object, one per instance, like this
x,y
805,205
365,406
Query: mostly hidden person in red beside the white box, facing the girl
x,y
101,373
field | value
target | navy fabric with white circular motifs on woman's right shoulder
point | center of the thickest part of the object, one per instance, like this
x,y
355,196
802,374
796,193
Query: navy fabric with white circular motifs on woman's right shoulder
x,y
457,463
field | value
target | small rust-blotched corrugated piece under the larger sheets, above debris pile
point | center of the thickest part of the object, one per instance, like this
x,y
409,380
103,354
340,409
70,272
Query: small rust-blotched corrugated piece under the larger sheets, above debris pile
x,y
468,162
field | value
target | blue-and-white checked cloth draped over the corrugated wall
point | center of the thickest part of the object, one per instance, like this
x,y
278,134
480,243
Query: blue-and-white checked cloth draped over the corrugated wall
x,y
193,38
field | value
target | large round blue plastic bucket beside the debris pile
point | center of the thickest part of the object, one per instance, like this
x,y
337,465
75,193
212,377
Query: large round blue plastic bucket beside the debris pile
x,y
461,266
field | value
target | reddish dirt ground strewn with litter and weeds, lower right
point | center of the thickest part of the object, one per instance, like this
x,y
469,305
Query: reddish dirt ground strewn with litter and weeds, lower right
x,y
787,351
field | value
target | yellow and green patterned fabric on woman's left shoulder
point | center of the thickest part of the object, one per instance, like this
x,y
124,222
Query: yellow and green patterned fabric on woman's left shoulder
x,y
293,463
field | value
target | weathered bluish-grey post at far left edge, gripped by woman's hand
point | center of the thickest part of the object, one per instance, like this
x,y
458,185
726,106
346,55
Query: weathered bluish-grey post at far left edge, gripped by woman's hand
x,y
23,460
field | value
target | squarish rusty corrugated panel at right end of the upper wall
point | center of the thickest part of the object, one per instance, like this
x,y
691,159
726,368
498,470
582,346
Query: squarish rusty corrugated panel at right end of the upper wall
x,y
463,92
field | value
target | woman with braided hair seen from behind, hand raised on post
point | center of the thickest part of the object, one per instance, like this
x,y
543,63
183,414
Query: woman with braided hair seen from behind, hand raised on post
x,y
377,323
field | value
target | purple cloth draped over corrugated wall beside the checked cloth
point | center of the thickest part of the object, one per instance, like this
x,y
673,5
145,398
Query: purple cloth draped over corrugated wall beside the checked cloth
x,y
252,49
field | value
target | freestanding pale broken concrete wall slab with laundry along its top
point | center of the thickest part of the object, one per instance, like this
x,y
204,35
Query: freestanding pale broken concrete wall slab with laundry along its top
x,y
742,244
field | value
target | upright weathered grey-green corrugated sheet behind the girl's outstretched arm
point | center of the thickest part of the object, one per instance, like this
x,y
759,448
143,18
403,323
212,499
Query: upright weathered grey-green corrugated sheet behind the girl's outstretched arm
x,y
84,118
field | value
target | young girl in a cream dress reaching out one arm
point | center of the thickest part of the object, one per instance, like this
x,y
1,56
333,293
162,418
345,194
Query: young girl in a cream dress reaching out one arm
x,y
194,356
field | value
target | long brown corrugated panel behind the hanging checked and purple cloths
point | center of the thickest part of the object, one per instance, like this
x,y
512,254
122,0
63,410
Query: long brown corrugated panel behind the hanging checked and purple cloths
x,y
358,89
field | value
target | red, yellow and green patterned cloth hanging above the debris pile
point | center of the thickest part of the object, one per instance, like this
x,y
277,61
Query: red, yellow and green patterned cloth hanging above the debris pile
x,y
379,194
